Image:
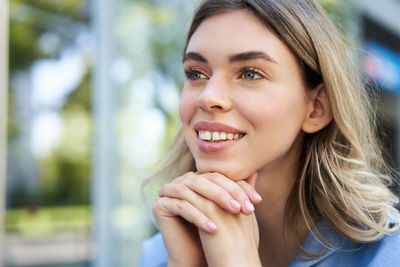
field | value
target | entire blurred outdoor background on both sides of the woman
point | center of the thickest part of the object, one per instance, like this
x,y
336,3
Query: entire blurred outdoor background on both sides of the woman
x,y
93,97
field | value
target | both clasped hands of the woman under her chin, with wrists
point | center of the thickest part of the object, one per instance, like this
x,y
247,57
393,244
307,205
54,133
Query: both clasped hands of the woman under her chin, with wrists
x,y
208,219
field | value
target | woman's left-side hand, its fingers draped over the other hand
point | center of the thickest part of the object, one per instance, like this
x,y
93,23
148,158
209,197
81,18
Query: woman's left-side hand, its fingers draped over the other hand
x,y
197,198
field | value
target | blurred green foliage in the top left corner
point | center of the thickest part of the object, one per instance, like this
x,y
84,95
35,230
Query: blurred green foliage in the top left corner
x,y
29,20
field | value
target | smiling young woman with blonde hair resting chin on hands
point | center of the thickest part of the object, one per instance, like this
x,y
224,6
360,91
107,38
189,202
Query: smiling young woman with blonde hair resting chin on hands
x,y
274,113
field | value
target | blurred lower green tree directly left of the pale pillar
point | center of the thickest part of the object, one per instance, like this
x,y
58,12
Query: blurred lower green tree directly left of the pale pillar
x,y
66,171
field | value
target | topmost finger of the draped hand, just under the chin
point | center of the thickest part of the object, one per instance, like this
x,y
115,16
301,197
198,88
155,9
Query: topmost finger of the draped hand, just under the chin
x,y
234,189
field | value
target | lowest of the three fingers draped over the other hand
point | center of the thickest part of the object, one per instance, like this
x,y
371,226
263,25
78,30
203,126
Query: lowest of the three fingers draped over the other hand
x,y
176,207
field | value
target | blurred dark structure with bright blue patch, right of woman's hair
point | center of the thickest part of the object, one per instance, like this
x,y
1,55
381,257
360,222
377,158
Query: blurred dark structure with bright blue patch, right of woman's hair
x,y
380,35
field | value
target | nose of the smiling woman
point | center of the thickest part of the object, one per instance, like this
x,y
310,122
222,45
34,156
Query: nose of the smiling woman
x,y
215,96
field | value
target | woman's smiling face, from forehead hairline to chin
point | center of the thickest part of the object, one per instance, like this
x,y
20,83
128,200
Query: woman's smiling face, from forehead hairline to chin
x,y
243,102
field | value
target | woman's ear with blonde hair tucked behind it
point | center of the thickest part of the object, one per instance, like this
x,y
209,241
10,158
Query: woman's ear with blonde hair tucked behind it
x,y
319,113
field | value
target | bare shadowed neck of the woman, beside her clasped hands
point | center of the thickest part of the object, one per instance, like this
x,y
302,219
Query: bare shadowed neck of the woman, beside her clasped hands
x,y
274,184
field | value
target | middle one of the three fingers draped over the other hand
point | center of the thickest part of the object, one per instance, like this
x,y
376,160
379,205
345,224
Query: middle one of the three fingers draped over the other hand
x,y
195,186
